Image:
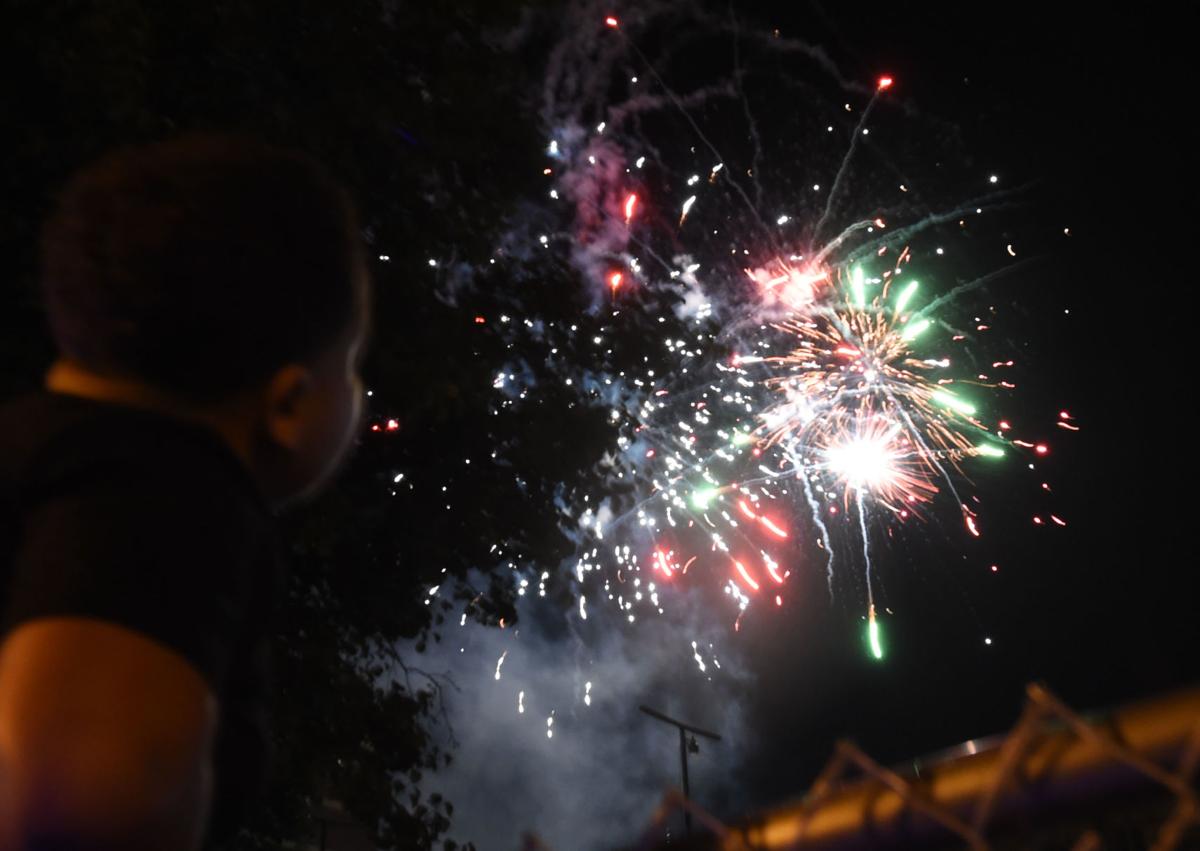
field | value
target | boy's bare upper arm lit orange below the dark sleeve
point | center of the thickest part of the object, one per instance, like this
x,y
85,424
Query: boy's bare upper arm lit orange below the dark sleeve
x,y
106,740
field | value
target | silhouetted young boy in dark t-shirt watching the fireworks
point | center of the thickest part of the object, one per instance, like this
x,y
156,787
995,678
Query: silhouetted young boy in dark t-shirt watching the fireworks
x,y
209,303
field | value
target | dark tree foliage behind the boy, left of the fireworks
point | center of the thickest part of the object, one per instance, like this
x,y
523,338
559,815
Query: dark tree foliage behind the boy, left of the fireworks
x,y
431,127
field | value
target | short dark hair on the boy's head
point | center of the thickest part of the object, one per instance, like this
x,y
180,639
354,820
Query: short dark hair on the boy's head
x,y
201,265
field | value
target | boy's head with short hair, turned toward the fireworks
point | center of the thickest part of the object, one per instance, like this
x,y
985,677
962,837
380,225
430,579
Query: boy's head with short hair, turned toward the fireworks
x,y
218,279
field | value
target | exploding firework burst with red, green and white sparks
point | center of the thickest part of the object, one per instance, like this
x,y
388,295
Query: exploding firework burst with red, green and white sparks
x,y
807,392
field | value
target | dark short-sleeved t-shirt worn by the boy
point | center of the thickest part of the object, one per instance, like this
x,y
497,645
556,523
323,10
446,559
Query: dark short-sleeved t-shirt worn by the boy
x,y
140,520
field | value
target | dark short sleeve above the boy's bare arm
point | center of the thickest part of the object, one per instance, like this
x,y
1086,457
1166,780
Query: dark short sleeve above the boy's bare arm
x,y
157,554
